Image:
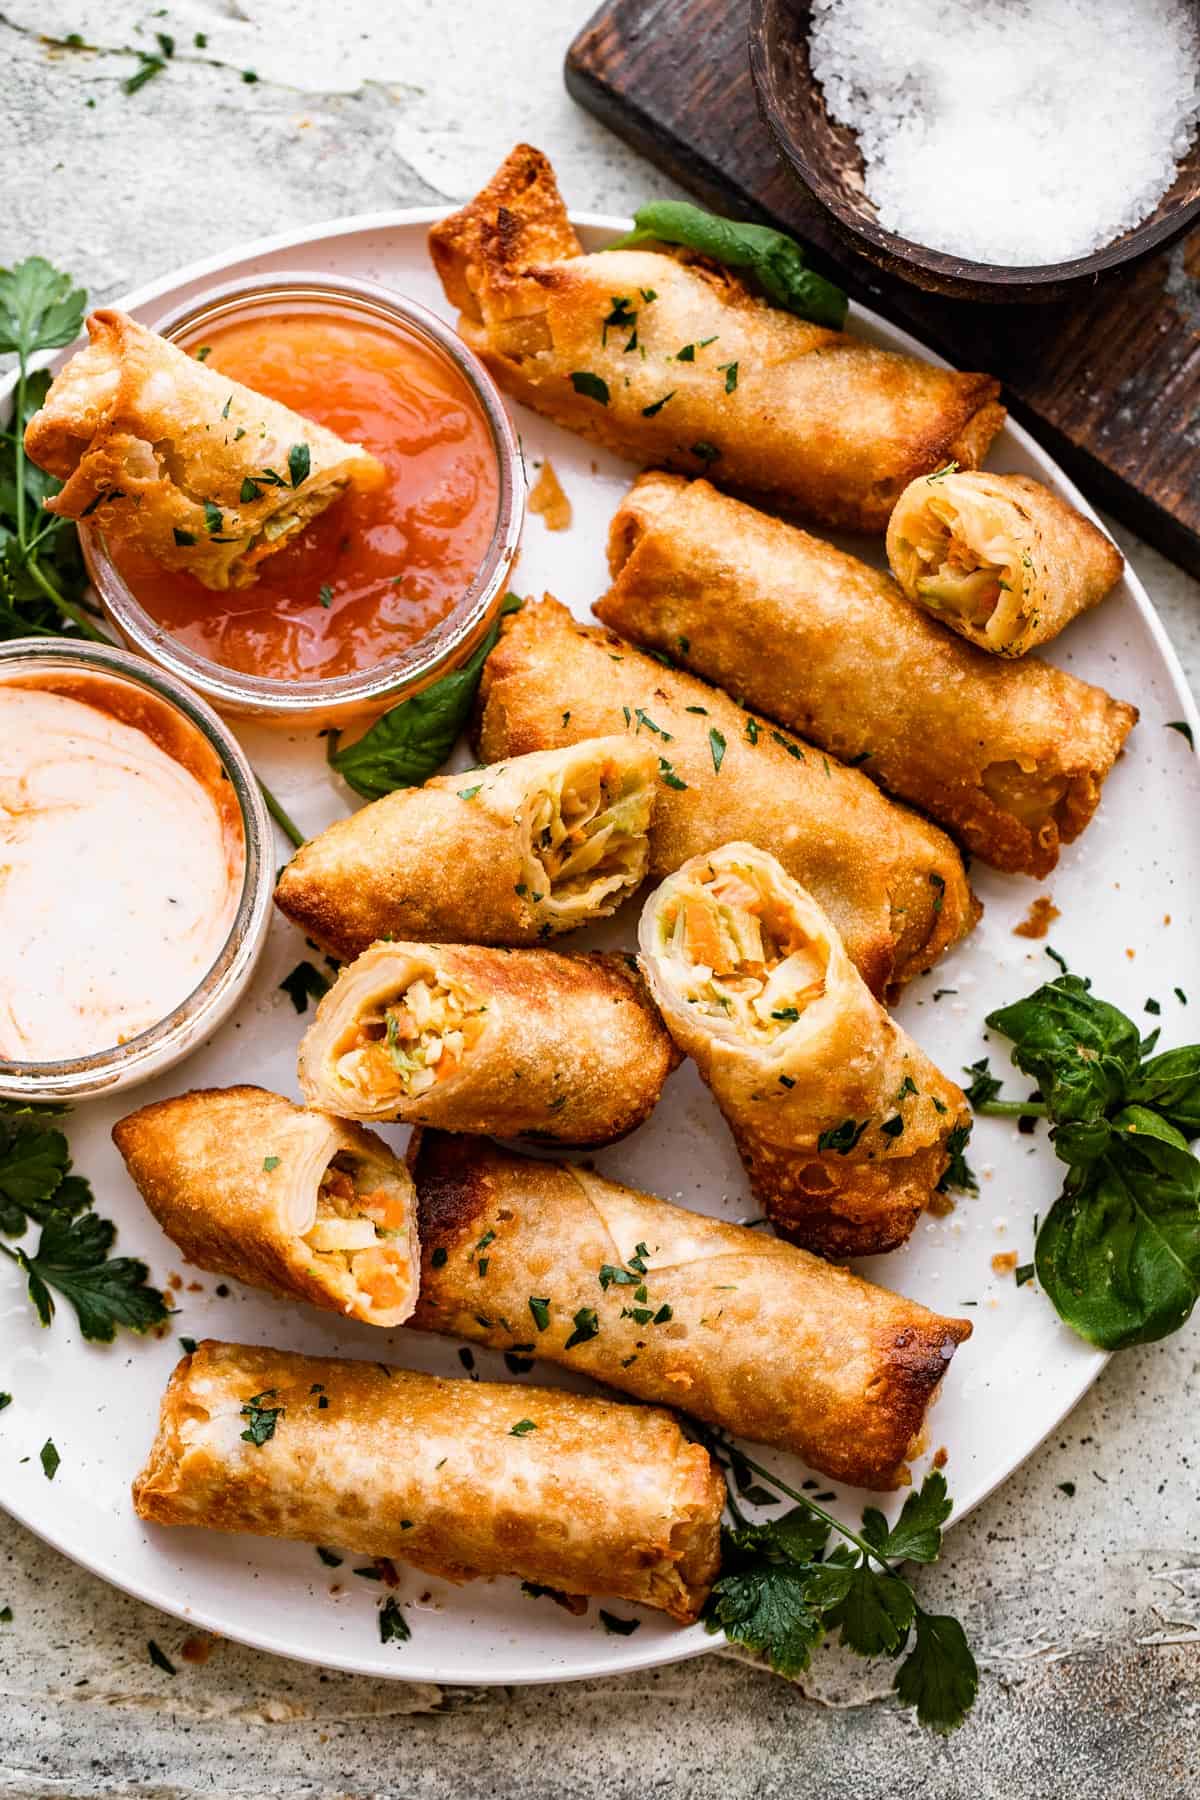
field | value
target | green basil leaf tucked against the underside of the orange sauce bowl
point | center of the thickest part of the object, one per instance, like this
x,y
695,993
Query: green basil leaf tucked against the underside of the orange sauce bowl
x,y
411,742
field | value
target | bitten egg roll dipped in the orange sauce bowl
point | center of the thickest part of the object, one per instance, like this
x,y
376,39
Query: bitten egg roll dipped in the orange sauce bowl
x,y
163,451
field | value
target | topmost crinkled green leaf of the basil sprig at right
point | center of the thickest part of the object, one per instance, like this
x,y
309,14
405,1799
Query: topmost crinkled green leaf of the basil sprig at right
x,y
1080,1050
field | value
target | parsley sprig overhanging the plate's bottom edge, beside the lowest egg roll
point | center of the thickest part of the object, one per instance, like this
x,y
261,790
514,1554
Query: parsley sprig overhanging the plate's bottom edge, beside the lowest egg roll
x,y
782,1590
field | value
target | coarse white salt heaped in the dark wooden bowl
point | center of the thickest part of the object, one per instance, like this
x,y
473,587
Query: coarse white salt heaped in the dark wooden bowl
x,y
1012,132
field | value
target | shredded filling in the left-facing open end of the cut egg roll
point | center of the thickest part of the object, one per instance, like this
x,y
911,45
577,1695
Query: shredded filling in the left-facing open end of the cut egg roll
x,y
404,1047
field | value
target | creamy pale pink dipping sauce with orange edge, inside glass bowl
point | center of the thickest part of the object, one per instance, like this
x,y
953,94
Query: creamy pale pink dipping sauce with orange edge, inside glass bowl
x,y
121,865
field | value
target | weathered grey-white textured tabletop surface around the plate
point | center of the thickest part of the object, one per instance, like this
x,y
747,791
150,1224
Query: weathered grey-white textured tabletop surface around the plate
x,y
1086,1612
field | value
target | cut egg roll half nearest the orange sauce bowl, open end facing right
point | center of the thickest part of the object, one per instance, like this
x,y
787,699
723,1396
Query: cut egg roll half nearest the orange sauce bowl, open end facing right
x,y
514,854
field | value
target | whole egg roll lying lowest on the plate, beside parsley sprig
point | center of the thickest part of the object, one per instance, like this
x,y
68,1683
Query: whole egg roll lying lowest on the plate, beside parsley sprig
x,y
589,1497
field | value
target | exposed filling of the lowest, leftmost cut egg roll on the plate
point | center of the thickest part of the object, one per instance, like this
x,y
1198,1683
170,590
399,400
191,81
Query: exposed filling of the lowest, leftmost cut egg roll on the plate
x,y
363,1234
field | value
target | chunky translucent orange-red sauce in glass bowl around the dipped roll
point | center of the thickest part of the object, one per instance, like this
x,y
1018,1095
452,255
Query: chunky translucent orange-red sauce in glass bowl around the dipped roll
x,y
379,570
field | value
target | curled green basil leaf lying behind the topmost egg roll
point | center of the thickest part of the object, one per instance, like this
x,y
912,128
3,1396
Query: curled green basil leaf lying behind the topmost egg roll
x,y
773,260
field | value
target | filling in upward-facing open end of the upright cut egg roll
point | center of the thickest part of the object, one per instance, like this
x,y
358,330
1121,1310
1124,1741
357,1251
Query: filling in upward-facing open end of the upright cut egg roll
x,y
742,955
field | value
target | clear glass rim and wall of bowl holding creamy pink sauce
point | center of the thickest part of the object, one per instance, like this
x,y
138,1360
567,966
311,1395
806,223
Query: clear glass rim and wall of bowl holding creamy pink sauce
x,y
195,730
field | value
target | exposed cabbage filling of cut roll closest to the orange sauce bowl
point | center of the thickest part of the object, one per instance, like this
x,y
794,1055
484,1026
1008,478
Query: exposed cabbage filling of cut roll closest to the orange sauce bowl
x,y
586,836
